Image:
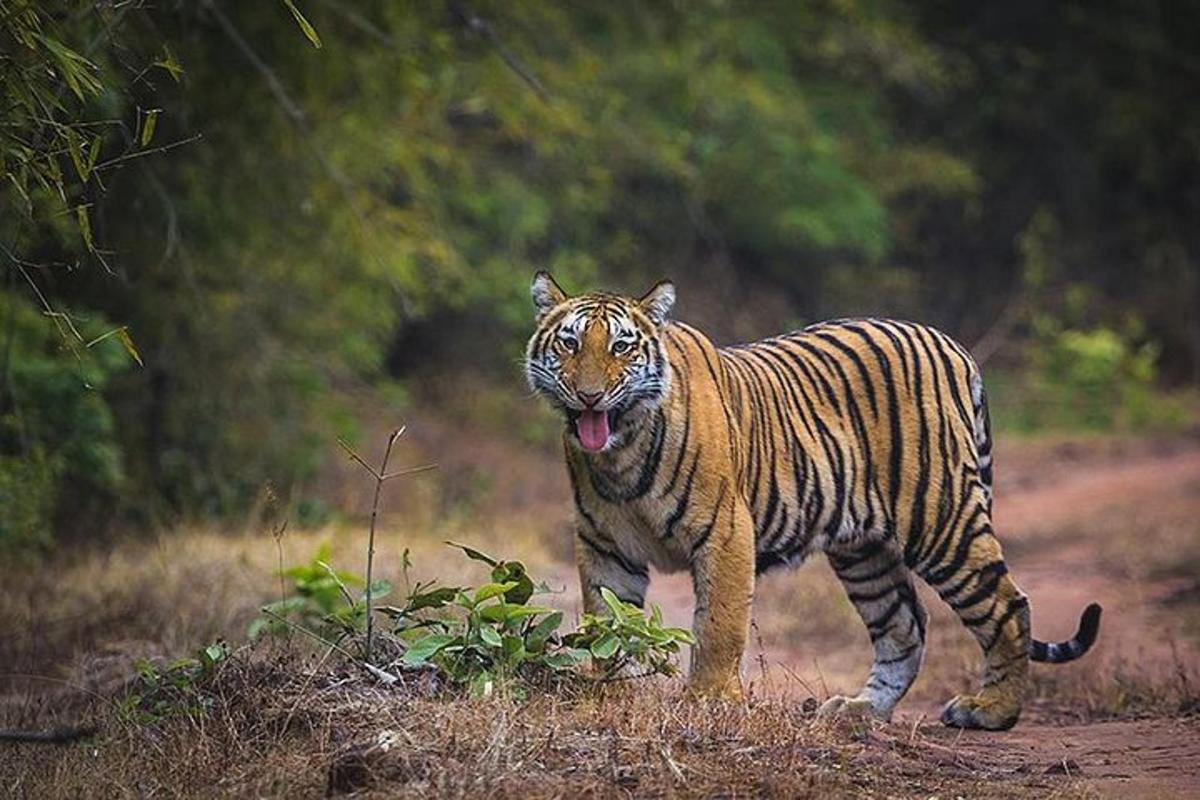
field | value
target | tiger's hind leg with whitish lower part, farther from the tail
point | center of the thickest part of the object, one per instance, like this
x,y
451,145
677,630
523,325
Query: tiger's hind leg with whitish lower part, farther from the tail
x,y
883,591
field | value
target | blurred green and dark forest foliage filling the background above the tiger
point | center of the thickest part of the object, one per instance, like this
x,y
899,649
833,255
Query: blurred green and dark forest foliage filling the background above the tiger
x,y
283,225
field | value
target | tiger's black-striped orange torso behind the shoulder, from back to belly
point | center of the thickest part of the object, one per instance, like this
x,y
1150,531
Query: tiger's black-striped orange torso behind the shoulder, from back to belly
x,y
857,430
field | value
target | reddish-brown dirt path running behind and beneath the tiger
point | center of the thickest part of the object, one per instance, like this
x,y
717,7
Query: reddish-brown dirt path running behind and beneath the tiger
x,y
1057,533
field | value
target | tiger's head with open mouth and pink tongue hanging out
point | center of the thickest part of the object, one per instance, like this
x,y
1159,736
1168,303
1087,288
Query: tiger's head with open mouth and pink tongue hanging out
x,y
599,358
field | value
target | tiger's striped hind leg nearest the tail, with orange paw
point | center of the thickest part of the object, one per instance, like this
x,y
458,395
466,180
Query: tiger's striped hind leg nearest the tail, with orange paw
x,y
973,579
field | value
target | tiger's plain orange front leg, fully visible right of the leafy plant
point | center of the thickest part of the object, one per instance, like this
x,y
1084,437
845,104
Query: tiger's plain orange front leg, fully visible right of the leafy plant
x,y
723,579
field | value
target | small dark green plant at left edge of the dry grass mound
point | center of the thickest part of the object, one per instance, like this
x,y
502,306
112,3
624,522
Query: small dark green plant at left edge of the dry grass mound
x,y
179,688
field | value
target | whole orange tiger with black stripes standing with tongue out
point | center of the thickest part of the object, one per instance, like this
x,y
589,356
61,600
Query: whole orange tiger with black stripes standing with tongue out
x,y
865,440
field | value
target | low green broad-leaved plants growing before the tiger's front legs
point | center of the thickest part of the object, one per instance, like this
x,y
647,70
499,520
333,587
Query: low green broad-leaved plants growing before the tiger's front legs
x,y
484,639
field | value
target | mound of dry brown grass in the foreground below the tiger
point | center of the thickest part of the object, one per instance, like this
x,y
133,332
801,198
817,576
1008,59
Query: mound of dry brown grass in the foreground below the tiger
x,y
284,725
